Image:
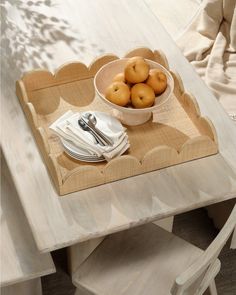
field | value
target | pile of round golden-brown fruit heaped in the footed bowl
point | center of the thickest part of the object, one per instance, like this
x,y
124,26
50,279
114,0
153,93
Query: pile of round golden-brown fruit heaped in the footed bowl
x,y
146,83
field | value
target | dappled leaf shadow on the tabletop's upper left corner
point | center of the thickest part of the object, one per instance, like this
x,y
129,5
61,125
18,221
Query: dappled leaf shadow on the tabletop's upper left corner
x,y
28,31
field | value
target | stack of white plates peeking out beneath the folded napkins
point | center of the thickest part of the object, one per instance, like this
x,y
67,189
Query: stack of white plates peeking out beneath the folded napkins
x,y
79,153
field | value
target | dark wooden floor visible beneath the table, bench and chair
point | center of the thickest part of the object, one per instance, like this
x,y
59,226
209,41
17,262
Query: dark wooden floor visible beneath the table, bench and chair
x,y
194,227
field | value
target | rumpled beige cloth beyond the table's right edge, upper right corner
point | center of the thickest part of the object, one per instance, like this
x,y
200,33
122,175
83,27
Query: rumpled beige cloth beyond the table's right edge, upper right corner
x,y
209,43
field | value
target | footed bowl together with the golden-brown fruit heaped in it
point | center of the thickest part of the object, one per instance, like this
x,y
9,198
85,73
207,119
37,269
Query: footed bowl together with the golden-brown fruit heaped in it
x,y
137,105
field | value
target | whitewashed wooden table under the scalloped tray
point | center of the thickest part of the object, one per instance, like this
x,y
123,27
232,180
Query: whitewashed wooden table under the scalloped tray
x,y
82,30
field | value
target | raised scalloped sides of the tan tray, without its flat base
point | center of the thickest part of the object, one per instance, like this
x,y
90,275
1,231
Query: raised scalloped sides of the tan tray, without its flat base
x,y
85,176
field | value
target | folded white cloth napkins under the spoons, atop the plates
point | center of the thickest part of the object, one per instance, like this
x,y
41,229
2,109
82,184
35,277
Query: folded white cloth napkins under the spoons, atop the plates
x,y
67,128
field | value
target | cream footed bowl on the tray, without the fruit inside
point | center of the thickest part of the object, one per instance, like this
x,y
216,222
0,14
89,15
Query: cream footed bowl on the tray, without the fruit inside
x,y
127,115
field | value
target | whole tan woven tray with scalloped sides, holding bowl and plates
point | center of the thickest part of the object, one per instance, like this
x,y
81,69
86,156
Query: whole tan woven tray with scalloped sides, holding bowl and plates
x,y
180,135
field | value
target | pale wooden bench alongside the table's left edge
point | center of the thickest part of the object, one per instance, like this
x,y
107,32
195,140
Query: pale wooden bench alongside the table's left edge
x,y
20,259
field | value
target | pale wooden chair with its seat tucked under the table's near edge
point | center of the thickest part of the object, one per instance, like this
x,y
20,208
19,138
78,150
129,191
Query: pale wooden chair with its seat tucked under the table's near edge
x,y
146,259
